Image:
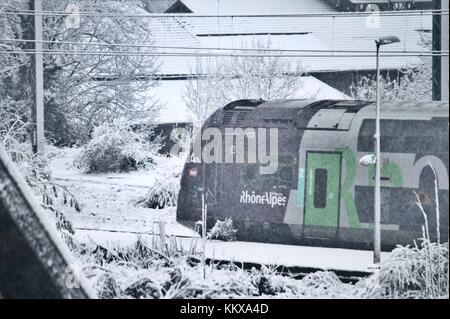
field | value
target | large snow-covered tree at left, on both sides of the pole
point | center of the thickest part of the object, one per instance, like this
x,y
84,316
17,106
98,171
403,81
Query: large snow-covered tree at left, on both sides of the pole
x,y
88,79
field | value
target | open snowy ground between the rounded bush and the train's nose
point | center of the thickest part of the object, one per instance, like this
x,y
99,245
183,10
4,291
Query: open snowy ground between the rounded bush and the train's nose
x,y
107,200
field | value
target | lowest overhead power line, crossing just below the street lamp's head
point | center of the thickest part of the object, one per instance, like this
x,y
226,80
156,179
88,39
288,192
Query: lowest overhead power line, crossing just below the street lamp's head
x,y
196,48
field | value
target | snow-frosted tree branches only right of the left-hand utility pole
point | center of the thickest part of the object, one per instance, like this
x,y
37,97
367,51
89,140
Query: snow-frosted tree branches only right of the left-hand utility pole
x,y
89,89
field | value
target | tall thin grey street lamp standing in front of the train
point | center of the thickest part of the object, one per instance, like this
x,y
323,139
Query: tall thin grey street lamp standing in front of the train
x,y
377,204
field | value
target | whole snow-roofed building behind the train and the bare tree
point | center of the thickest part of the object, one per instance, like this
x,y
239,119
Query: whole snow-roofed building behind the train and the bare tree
x,y
336,50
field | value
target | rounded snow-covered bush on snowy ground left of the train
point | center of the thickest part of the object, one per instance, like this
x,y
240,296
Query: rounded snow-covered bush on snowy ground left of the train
x,y
116,147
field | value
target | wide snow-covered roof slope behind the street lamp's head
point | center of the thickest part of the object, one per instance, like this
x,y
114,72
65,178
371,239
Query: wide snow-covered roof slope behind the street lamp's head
x,y
340,33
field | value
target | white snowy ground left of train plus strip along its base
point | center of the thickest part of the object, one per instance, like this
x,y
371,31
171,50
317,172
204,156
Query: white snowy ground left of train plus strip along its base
x,y
109,217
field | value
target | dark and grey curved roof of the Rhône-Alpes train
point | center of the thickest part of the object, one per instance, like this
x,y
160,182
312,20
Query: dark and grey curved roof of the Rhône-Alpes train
x,y
298,113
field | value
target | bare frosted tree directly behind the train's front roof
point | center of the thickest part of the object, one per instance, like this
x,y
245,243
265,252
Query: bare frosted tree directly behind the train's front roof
x,y
241,77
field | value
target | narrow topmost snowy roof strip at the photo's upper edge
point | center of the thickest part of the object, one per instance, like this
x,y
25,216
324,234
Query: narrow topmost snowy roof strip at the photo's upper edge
x,y
256,6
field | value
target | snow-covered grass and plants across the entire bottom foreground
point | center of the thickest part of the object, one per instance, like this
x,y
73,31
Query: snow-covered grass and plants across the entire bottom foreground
x,y
143,269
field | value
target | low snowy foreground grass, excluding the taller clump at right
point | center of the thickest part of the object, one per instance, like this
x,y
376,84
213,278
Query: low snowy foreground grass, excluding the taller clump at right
x,y
142,271
